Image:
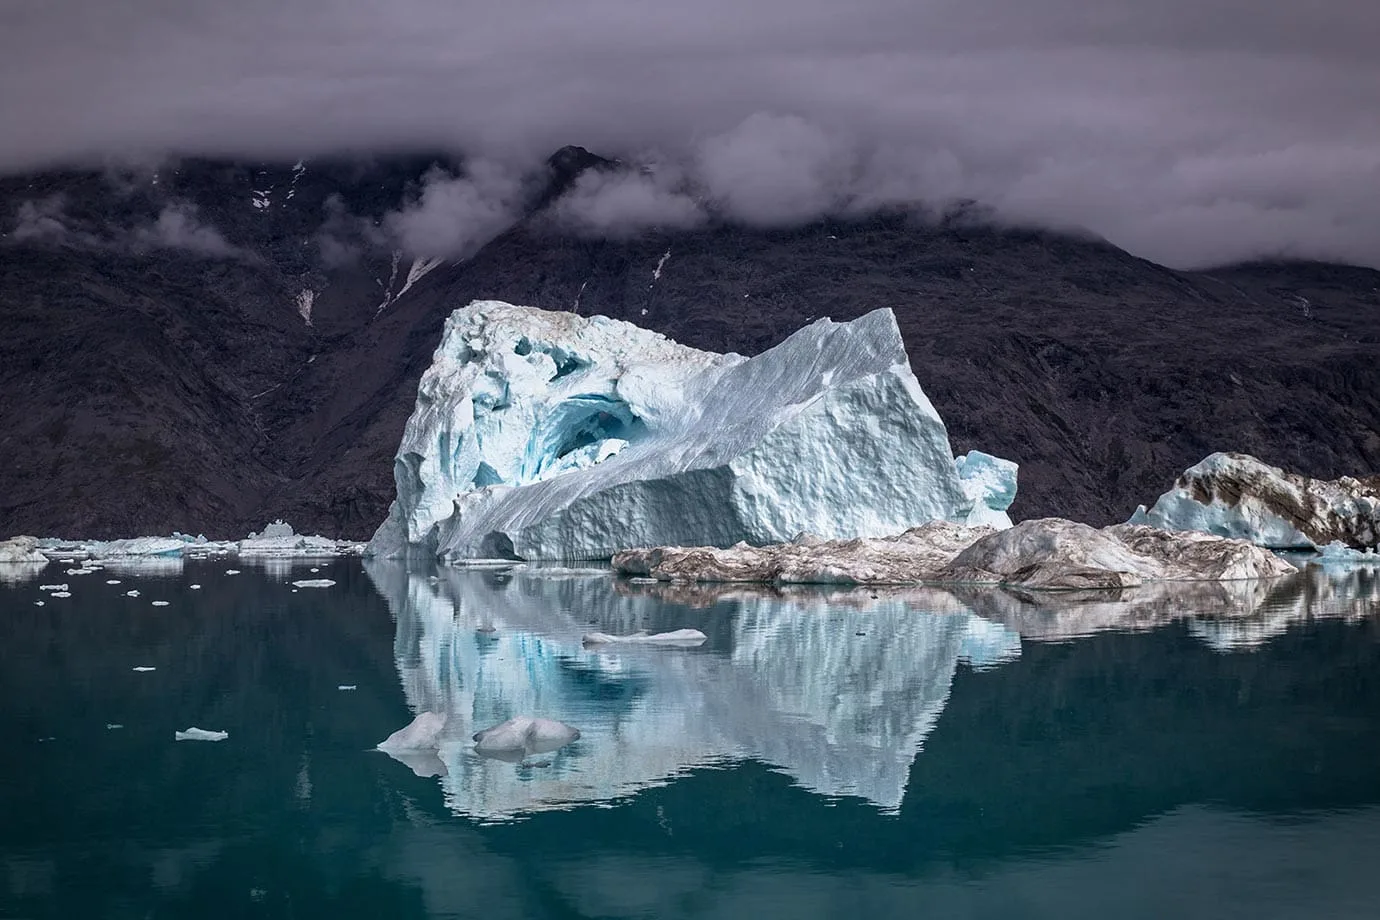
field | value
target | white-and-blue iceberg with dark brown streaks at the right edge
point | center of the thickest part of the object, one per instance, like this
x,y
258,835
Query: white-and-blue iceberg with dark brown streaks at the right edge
x,y
1239,496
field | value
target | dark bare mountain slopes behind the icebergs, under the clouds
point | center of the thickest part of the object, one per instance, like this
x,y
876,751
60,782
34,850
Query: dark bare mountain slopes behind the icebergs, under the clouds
x,y
161,379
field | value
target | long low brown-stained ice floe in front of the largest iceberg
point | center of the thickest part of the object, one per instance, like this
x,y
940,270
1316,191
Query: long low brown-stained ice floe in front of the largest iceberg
x,y
1038,554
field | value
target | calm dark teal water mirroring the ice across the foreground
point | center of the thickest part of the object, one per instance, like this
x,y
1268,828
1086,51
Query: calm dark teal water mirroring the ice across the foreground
x,y
1190,752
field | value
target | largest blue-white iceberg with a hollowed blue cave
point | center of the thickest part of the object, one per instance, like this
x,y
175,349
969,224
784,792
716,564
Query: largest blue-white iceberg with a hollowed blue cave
x,y
546,435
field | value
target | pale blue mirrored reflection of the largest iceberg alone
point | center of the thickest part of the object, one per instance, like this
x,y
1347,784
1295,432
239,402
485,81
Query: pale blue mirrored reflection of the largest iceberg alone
x,y
838,699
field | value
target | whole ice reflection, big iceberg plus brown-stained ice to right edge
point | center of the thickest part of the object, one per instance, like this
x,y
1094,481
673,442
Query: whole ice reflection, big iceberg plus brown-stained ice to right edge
x,y
836,689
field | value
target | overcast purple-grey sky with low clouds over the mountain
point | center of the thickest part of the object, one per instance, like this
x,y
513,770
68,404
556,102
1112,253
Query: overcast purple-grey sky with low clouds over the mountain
x,y
1189,132
